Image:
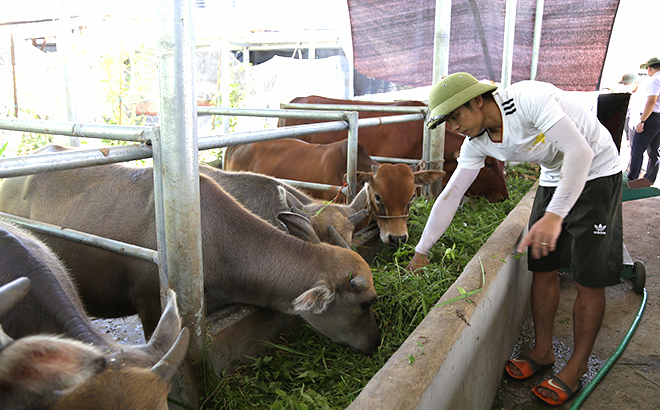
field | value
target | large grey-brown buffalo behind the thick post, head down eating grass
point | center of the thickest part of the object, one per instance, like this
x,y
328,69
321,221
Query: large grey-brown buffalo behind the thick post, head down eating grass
x,y
245,259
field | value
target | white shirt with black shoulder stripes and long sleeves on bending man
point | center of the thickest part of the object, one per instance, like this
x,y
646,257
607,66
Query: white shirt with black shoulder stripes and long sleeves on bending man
x,y
541,124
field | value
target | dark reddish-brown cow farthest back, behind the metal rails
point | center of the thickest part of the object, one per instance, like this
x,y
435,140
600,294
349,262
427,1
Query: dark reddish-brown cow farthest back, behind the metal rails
x,y
404,140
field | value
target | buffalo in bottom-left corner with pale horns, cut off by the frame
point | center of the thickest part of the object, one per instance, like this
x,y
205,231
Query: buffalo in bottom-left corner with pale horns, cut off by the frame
x,y
52,357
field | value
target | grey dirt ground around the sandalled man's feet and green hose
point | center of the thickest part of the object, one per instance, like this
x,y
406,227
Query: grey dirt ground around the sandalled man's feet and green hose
x,y
633,382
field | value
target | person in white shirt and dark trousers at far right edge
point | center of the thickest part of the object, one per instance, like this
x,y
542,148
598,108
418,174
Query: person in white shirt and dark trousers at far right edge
x,y
647,132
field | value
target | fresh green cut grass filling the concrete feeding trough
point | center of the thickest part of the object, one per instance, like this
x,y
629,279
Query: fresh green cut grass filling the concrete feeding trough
x,y
306,370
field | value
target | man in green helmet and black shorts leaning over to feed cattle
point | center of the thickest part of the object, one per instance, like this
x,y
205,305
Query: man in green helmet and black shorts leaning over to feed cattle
x,y
576,212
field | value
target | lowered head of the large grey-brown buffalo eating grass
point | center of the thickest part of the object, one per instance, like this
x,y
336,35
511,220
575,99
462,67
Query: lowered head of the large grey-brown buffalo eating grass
x,y
340,305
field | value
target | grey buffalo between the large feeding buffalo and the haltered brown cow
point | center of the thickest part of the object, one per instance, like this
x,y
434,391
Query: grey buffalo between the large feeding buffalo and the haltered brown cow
x,y
268,197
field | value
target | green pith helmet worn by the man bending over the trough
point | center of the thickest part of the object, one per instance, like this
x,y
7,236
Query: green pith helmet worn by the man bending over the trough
x,y
450,93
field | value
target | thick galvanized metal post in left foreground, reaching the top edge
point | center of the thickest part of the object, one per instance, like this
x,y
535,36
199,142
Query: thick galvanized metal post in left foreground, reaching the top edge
x,y
178,172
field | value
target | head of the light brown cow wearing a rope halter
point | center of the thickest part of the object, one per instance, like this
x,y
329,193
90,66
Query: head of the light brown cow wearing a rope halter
x,y
391,189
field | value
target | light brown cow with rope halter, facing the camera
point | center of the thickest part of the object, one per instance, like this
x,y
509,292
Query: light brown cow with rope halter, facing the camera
x,y
390,187
